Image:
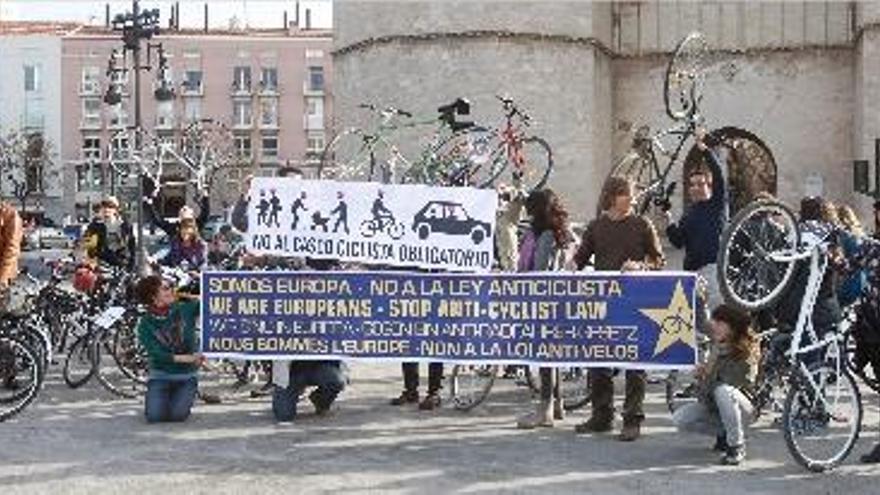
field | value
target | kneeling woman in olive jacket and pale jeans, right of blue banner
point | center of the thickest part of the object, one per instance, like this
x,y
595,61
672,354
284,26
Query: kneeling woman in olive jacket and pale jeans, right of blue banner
x,y
724,408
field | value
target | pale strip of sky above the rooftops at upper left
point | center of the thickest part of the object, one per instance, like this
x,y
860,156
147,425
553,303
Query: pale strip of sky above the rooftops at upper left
x,y
250,13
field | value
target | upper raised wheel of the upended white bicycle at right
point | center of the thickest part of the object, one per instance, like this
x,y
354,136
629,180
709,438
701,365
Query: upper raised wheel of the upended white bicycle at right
x,y
754,259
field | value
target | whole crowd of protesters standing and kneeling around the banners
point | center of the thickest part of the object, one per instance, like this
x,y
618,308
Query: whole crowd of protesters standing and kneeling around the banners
x,y
617,239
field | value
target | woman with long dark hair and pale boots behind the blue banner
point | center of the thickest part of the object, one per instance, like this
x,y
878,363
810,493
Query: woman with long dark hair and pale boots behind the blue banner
x,y
543,249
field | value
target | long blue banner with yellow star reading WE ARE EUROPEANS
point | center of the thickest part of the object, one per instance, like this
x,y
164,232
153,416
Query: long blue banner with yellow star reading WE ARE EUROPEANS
x,y
633,320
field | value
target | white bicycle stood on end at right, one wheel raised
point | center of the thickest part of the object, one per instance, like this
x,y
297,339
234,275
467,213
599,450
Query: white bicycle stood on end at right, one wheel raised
x,y
757,258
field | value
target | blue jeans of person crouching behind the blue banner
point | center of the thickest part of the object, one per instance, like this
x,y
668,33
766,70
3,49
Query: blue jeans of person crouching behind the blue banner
x,y
328,377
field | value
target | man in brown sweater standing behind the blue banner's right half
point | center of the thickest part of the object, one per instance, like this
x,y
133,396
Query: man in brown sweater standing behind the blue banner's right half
x,y
618,239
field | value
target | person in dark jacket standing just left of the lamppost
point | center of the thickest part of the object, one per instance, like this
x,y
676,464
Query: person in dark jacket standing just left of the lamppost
x,y
109,238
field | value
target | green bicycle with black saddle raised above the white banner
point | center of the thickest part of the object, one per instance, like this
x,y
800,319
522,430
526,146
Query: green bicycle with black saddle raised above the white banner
x,y
356,154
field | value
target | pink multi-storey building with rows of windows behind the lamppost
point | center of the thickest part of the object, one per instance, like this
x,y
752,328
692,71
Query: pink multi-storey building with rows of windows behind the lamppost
x,y
269,87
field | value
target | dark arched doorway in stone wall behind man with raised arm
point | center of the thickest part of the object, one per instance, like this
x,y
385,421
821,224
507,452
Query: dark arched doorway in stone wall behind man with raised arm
x,y
750,166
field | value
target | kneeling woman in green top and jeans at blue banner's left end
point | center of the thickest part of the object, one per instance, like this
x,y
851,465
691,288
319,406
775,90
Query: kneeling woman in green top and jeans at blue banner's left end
x,y
167,332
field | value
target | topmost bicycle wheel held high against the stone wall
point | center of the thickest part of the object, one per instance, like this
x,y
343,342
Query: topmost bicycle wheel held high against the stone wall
x,y
682,86
